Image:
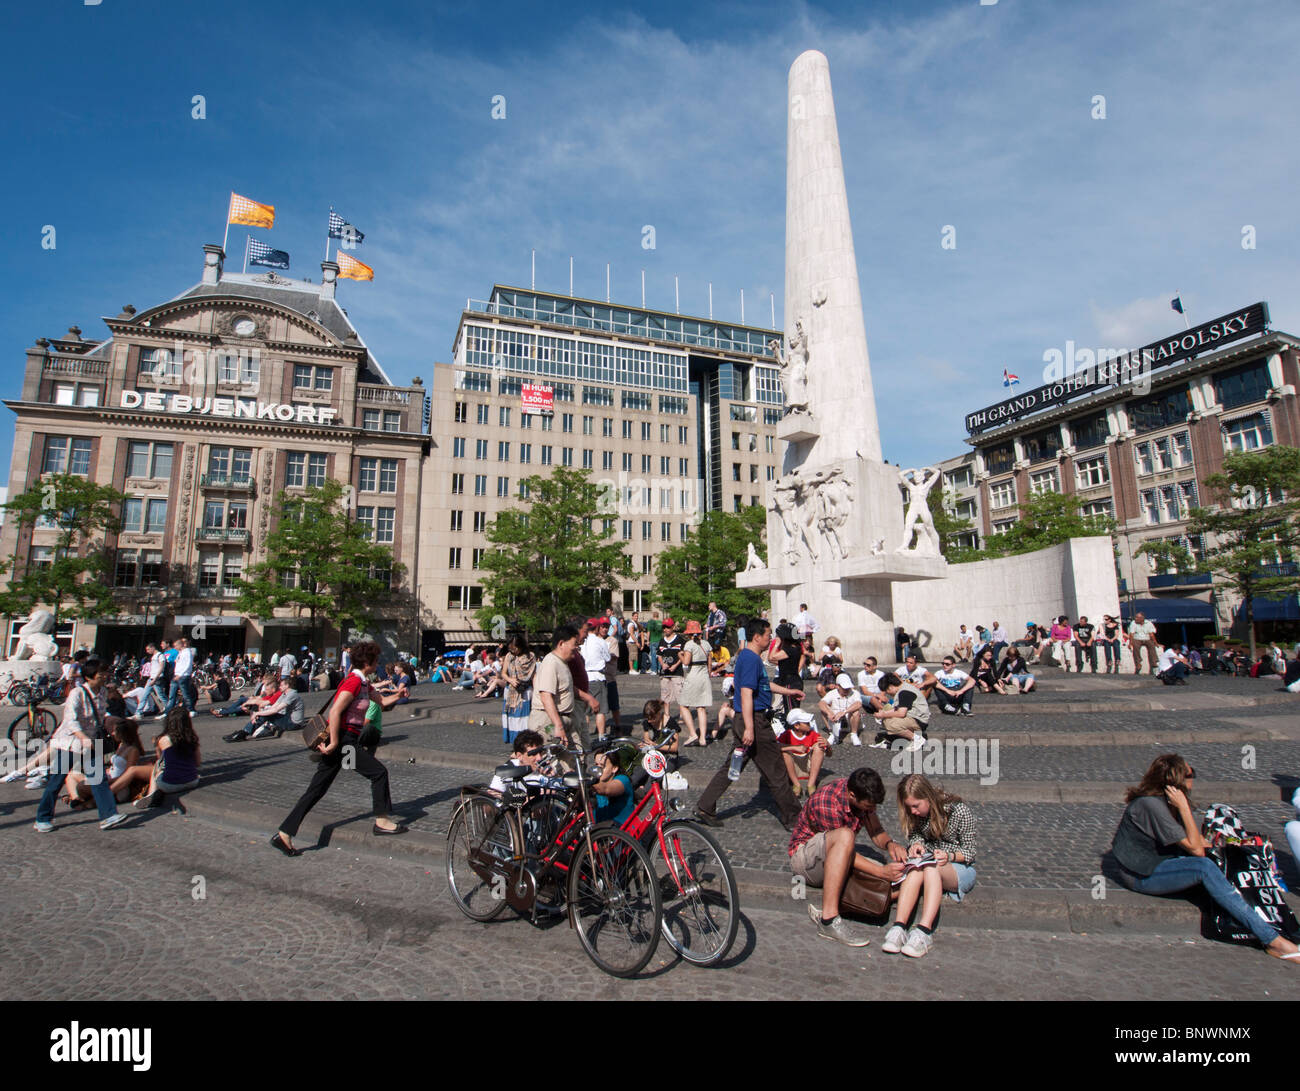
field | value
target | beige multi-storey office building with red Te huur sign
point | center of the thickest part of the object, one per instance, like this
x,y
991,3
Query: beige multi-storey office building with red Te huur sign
x,y
675,414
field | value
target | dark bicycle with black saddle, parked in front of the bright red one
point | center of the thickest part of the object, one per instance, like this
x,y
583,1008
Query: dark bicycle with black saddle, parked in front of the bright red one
x,y
544,854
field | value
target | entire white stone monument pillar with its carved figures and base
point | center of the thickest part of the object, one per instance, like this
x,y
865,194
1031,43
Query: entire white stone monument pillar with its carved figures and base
x,y
837,516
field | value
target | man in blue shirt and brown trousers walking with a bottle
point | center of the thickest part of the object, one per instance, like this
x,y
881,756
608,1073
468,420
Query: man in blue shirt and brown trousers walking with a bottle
x,y
753,728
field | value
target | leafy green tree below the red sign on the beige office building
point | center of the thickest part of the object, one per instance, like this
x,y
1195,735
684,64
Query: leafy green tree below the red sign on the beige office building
x,y
552,559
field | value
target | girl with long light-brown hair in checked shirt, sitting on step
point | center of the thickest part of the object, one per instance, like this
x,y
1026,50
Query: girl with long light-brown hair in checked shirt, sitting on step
x,y
941,826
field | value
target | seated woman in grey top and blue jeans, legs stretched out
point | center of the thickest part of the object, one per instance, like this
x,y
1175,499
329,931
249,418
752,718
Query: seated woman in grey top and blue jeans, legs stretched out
x,y
1160,850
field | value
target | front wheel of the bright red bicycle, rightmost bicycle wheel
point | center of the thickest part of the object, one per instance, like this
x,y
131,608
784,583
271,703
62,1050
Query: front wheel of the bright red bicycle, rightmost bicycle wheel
x,y
701,906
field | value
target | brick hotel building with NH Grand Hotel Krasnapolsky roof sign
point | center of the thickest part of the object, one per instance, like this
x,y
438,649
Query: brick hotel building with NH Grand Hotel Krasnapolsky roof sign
x,y
1134,439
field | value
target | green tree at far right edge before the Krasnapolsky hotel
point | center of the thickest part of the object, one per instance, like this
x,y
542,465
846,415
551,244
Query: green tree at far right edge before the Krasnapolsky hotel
x,y
1256,525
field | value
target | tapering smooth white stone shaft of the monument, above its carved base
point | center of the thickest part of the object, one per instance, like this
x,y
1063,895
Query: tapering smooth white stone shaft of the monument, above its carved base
x,y
822,274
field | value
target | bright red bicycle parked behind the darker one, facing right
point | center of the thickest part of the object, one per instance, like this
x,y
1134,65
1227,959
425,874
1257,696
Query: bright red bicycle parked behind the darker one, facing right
x,y
701,903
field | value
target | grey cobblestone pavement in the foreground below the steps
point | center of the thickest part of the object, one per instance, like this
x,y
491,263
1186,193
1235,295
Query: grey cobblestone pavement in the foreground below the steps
x,y
111,916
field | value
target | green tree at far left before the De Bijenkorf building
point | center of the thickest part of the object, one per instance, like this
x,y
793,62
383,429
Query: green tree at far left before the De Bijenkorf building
x,y
79,582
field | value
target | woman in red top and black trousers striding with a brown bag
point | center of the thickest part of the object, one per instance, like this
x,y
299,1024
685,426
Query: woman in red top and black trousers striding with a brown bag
x,y
348,713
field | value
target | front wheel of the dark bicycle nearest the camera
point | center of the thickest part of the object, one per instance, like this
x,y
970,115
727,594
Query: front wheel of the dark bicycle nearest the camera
x,y
614,903
